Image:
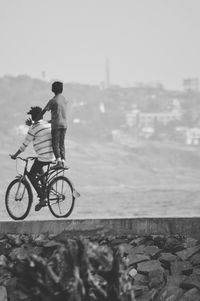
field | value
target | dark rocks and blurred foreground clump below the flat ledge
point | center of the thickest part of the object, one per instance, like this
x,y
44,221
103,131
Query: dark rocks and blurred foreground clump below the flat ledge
x,y
99,267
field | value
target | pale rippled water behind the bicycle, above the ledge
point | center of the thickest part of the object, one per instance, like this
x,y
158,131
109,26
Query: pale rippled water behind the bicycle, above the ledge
x,y
116,182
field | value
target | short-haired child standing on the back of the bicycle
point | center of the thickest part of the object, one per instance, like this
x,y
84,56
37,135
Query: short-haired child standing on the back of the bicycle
x,y
58,107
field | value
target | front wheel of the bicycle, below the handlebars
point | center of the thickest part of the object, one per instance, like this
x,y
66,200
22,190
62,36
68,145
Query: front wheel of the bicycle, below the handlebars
x,y
18,199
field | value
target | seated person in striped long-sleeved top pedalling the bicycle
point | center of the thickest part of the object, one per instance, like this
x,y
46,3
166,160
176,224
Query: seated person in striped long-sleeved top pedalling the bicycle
x,y
40,134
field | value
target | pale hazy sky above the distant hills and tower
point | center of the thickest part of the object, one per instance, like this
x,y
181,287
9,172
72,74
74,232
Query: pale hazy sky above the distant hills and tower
x,y
145,40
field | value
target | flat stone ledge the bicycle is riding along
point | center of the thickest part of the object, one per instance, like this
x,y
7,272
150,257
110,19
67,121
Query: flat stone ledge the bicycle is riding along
x,y
138,226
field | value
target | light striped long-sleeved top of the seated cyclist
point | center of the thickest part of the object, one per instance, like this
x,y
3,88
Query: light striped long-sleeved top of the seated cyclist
x,y
40,134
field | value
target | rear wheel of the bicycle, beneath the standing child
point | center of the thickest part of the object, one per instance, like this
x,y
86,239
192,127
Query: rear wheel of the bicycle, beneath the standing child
x,y
60,197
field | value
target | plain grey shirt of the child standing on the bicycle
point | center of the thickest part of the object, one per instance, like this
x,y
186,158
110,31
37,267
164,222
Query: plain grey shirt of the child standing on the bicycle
x,y
58,107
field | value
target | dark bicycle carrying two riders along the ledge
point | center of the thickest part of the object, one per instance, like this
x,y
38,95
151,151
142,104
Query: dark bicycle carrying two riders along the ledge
x,y
19,195
